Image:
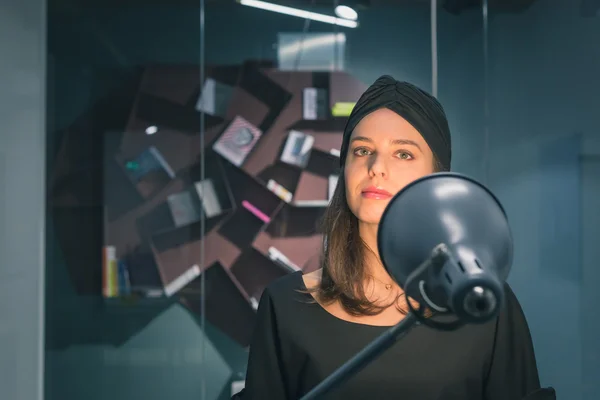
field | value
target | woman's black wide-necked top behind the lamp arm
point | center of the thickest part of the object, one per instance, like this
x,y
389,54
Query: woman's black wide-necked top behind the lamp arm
x,y
296,344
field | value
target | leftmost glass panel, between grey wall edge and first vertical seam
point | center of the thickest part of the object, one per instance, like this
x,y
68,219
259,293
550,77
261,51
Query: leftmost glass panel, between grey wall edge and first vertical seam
x,y
130,196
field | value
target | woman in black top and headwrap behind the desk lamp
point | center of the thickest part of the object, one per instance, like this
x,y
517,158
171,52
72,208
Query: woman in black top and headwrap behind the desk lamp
x,y
309,325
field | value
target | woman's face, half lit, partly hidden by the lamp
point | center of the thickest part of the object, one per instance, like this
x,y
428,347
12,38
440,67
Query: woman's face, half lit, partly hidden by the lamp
x,y
384,155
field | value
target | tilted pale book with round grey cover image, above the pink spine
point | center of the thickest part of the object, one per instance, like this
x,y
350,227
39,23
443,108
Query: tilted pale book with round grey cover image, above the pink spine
x,y
237,141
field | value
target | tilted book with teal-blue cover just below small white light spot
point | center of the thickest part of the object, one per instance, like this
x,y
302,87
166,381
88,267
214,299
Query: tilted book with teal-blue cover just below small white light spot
x,y
149,171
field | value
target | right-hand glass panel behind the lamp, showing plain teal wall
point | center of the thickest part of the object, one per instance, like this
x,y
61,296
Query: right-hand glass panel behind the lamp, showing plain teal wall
x,y
517,79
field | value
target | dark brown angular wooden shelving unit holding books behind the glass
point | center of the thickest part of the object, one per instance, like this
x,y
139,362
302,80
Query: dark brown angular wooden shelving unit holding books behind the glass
x,y
96,201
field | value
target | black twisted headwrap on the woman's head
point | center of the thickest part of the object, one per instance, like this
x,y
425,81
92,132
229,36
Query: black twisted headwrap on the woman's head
x,y
418,107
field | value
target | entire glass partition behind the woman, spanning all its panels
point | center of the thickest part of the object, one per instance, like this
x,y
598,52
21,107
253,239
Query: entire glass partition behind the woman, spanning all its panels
x,y
194,147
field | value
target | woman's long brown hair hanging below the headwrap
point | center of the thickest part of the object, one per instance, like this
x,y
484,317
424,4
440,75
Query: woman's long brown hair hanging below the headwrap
x,y
342,258
